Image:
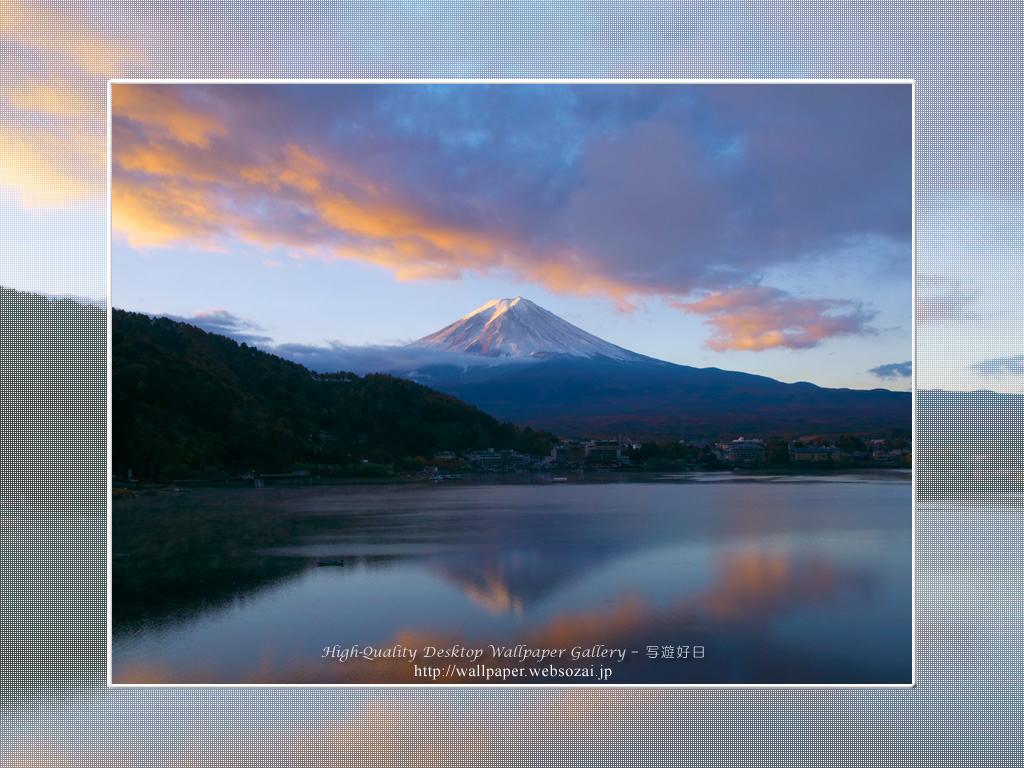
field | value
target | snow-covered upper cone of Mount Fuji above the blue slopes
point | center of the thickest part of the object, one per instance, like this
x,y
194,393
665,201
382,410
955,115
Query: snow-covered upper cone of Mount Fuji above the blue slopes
x,y
519,328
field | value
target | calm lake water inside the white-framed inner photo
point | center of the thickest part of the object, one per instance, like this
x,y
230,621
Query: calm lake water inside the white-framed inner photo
x,y
801,580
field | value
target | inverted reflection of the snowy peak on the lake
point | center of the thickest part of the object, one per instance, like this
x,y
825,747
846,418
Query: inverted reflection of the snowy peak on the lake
x,y
515,580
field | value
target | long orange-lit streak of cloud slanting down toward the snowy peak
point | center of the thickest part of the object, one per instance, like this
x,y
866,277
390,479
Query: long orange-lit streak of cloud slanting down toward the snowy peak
x,y
178,188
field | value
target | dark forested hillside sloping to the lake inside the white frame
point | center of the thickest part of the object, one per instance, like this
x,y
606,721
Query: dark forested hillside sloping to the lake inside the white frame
x,y
189,403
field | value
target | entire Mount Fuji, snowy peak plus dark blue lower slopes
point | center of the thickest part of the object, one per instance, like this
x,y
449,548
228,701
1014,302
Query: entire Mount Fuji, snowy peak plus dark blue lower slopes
x,y
524,364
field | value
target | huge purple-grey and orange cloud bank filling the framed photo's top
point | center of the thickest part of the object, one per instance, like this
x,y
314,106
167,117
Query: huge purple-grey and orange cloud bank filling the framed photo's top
x,y
625,192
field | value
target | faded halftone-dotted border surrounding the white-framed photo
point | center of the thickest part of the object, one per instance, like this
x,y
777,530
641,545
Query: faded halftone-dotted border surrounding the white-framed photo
x,y
967,707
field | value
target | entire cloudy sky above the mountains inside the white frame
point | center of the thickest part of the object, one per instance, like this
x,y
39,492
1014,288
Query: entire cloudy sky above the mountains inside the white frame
x,y
758,228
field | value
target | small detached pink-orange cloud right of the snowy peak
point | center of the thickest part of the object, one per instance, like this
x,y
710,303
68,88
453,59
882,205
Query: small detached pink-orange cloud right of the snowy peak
x,y
759,318
